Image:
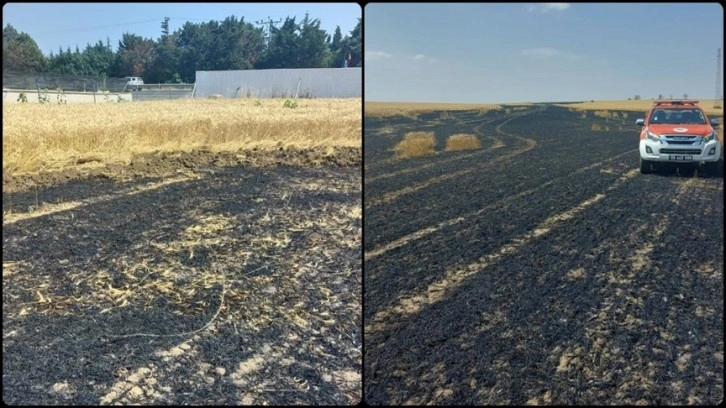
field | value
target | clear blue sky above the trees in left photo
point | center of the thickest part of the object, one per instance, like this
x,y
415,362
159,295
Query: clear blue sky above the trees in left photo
x,y
54,25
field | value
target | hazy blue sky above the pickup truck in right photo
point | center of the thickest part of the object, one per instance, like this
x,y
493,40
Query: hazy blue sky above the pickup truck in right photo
x,y
540,52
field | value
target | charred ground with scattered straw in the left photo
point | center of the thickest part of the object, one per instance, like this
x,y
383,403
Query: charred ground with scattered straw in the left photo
x,y
195,279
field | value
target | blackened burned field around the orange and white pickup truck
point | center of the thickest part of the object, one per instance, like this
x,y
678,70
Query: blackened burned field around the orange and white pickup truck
x,y
541,268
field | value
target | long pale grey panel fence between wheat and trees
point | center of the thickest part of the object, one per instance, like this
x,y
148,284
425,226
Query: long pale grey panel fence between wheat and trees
x,y
281,83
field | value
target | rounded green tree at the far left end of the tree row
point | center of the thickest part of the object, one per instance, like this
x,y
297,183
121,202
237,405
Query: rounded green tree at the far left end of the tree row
x,y
20,52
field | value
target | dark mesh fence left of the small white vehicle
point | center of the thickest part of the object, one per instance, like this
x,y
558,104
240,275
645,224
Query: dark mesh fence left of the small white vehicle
x,y
71,83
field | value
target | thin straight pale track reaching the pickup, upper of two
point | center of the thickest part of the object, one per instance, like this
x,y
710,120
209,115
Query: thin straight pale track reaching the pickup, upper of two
x,y
405,240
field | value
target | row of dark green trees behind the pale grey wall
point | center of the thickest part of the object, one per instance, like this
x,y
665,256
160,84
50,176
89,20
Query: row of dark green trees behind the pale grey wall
x,y
232,44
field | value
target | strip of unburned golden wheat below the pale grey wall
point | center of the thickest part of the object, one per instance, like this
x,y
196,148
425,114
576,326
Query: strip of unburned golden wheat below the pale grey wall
x,y
52,137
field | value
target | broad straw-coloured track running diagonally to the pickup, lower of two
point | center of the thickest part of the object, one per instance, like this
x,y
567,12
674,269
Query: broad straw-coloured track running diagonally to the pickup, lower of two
x,y
453,278
